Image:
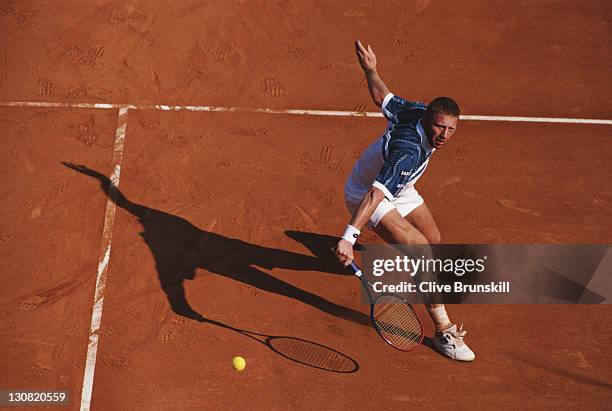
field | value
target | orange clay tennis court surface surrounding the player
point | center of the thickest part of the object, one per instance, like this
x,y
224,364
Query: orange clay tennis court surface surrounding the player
x,y
186,106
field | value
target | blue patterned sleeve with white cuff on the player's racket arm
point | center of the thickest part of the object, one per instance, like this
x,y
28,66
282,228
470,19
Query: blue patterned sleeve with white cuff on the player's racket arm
x,y
400,163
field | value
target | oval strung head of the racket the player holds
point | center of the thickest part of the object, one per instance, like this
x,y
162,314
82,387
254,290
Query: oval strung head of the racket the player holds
x,y
397,323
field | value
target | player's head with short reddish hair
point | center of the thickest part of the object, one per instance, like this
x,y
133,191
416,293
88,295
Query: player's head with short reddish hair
x,y
440,120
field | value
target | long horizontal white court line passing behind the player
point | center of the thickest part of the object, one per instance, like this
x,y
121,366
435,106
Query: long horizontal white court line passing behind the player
x,y
163,107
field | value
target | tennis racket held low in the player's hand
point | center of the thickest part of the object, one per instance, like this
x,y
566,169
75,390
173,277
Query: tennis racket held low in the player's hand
x,y
393,318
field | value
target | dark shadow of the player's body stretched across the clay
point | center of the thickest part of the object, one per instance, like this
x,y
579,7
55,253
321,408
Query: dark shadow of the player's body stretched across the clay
x,y
179,248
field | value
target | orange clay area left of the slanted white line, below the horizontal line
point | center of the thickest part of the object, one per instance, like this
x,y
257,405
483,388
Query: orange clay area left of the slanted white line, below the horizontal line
x,y
50,242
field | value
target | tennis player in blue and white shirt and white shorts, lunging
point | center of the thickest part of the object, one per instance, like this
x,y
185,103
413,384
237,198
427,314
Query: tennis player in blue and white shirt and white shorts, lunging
x,y
380,189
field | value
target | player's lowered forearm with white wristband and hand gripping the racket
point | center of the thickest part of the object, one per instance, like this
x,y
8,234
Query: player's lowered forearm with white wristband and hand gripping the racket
x,y
367,206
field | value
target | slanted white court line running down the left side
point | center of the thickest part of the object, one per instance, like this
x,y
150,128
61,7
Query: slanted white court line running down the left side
x,y
107,234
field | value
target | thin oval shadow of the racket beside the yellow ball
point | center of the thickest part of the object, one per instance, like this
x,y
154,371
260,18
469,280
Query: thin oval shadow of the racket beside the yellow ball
x,y
298,350
